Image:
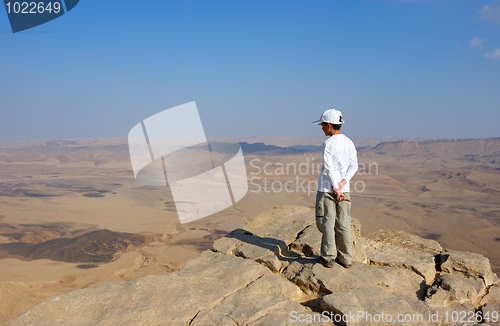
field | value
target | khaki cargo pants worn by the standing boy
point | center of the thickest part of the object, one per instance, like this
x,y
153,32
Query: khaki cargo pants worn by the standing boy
x,y
333,219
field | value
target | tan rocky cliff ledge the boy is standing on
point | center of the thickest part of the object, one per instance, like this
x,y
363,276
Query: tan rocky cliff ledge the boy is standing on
x,y
266,273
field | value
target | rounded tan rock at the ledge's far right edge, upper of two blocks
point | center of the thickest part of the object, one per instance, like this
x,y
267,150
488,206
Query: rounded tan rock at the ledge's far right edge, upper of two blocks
x,y
468,264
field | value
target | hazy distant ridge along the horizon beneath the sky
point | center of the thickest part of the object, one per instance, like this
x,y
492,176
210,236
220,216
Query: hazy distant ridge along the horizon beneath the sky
x,y
485,149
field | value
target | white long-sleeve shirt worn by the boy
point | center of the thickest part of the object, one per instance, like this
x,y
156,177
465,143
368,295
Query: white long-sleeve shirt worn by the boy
x,y
340,161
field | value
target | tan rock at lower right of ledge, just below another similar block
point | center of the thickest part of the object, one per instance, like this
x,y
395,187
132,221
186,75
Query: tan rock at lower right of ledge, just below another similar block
x,y
450,288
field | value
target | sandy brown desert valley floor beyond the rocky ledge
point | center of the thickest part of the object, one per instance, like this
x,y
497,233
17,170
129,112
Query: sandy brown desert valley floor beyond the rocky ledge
x,y
64,189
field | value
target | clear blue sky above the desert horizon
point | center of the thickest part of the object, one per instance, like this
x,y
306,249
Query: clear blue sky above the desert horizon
x,y
428,68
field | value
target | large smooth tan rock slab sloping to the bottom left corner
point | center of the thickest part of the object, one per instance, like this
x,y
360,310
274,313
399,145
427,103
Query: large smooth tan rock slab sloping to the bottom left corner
x,y
176,298
